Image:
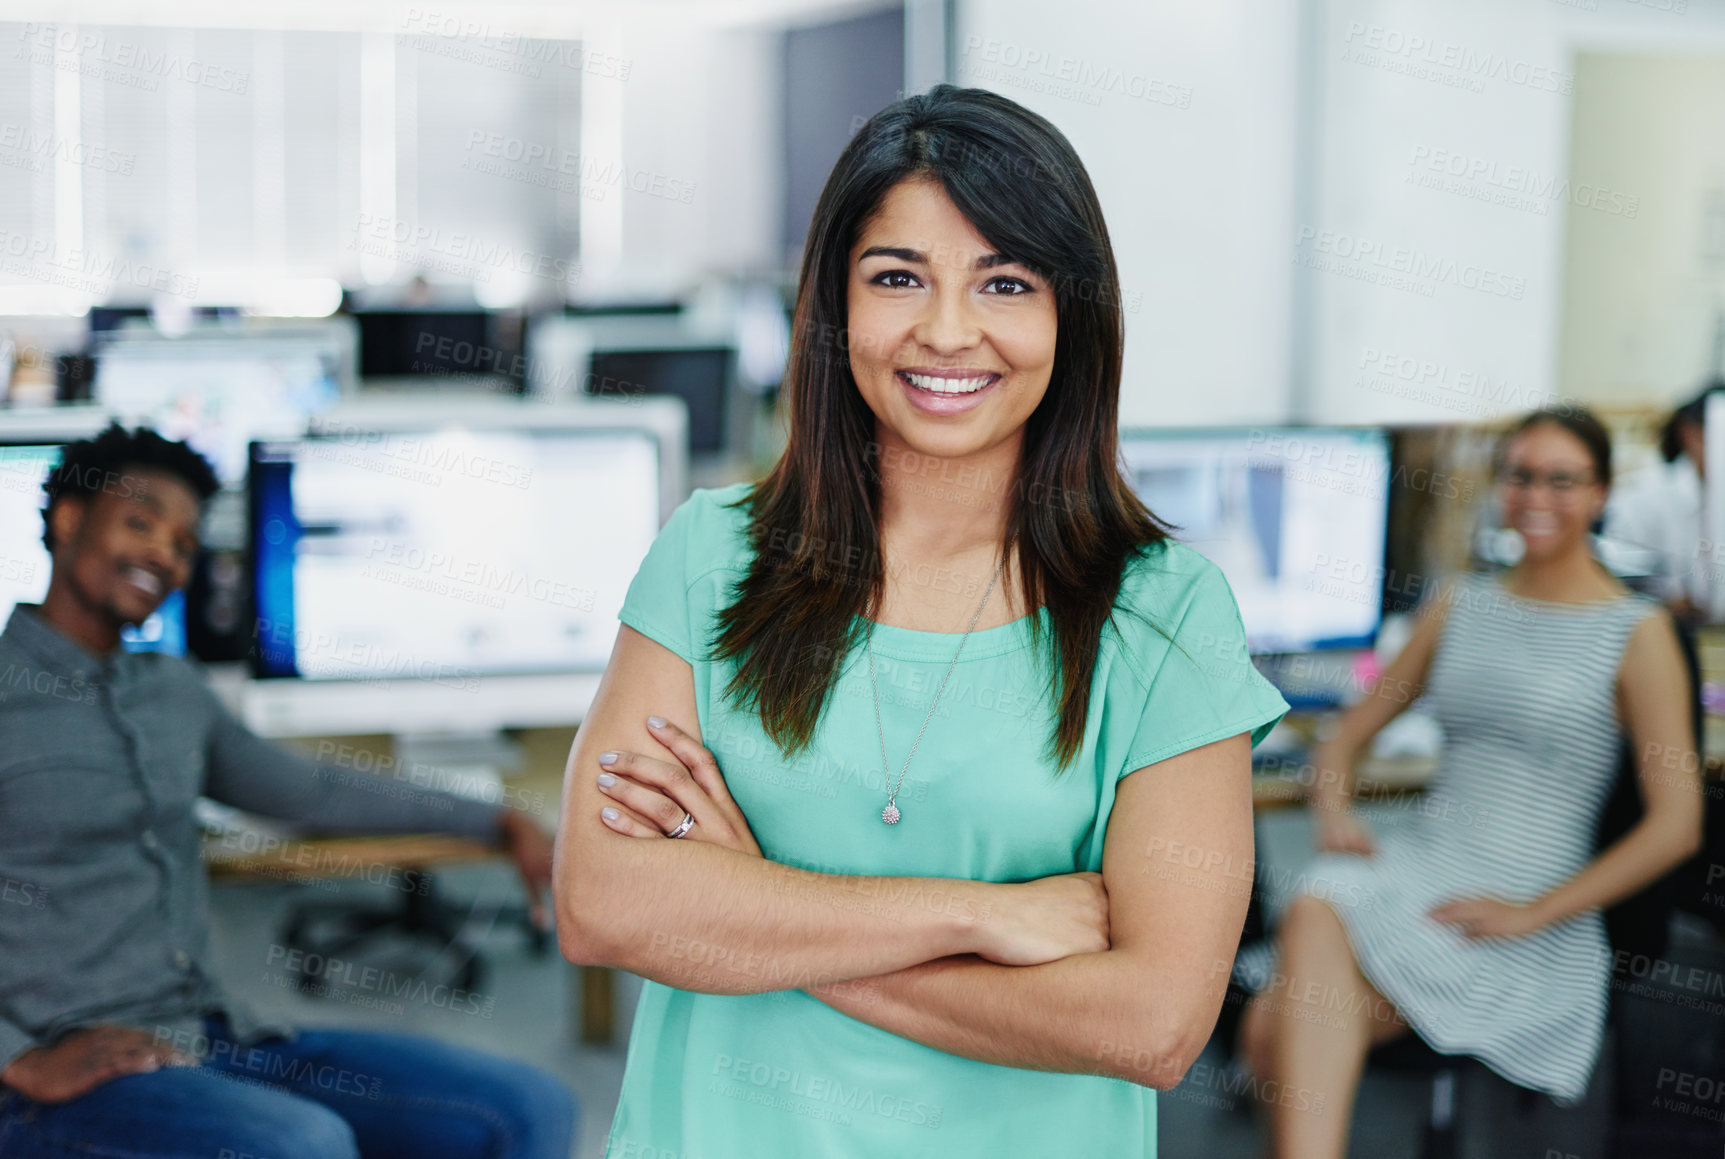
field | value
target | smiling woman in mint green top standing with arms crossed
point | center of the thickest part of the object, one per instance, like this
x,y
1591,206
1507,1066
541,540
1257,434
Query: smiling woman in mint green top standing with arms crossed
x,y
955,742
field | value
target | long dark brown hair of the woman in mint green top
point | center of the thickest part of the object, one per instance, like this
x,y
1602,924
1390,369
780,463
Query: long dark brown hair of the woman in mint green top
x,y
815,520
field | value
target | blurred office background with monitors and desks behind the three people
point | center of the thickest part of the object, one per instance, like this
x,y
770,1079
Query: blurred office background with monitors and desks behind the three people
x,y
430,282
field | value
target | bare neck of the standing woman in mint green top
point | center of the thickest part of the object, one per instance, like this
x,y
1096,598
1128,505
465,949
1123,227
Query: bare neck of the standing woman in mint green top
x,y
938,508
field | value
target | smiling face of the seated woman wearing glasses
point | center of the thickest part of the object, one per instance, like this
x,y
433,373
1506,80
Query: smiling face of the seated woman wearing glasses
x,y
1552,492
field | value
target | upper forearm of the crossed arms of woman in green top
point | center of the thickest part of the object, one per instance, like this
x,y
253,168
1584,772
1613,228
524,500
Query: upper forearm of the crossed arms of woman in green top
x,y
717,922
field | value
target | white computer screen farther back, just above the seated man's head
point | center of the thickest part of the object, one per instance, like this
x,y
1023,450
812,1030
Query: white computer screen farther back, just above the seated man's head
x,y
216,392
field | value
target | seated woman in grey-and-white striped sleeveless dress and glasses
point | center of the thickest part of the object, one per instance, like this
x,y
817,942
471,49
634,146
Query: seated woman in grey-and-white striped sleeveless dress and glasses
x,y
1477,922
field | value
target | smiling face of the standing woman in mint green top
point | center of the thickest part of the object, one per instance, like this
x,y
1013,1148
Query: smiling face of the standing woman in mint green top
x,y
951,344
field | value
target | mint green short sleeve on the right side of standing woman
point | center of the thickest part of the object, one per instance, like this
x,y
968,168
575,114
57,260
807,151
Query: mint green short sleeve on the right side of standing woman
x,y
1203,686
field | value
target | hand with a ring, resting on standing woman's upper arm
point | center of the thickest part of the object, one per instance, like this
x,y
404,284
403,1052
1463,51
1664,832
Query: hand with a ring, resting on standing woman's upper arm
x,y
649,798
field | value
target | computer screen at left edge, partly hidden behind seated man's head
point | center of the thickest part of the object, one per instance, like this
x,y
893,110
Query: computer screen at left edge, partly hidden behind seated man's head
x,y
25,561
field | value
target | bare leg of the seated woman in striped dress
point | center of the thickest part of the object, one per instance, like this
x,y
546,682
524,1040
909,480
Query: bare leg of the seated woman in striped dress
x,y
1312,1032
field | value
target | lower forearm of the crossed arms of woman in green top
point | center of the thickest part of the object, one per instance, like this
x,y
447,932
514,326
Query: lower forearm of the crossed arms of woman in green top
x,y
1084,1015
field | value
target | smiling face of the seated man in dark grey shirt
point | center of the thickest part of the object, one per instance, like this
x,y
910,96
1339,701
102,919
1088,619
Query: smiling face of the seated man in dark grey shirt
x,y
125,549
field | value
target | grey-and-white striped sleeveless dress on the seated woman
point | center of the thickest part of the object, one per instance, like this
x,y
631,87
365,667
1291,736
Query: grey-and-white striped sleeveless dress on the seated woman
x,y
1526,696
